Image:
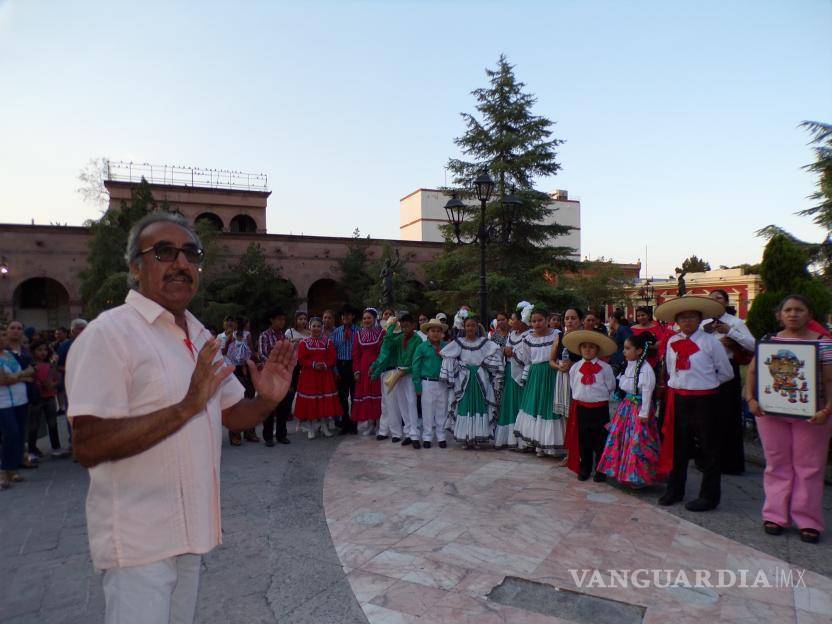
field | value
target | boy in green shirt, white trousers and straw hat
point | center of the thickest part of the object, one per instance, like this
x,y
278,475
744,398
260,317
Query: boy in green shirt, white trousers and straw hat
x,y
427,364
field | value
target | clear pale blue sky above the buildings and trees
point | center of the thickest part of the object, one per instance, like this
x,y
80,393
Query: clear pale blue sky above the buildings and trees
x,y
680,119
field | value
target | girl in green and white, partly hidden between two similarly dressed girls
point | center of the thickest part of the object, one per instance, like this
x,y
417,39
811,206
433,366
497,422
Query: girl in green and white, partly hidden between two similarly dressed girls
x,y
512,391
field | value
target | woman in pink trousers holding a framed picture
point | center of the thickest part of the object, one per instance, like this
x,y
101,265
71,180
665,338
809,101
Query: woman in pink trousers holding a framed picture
x,y
795,449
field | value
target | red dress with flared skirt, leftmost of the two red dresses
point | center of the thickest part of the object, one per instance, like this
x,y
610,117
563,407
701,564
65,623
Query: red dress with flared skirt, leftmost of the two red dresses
x,y
316,396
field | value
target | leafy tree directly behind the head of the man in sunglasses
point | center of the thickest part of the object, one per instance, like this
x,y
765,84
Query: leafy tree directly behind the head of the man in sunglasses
x,y
107,245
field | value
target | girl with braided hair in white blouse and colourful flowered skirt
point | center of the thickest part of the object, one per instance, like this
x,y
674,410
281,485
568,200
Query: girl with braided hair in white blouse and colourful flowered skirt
x,y
632,450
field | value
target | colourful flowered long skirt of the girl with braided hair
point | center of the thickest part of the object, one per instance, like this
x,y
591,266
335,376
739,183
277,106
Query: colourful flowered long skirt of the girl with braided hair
x,y
632,451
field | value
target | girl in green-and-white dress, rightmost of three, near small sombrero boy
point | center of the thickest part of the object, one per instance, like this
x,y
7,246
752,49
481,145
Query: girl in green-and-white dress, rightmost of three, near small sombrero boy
x,y
538,427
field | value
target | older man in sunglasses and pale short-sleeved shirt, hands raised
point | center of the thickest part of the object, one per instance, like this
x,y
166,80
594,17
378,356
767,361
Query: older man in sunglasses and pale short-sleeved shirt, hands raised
x,y
149,394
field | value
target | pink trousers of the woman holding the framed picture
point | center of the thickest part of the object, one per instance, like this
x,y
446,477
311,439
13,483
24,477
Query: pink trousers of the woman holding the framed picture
x,y
796,454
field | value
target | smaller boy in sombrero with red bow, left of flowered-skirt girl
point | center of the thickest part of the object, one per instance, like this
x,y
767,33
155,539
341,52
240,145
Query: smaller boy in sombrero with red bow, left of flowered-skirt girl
x,y
591,381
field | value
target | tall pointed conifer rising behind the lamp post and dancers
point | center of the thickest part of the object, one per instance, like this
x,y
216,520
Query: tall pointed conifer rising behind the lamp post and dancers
x,y
517,147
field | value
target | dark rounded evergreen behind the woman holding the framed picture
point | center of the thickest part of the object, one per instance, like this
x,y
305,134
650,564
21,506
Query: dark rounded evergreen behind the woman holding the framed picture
x,y
783,272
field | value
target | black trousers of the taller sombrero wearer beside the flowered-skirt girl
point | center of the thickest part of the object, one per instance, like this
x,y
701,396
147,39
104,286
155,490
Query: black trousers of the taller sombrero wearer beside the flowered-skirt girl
x,y
696,418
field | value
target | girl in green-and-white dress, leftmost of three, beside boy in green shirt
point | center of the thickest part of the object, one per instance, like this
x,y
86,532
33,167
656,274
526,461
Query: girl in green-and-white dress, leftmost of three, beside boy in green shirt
x,y
473,368
